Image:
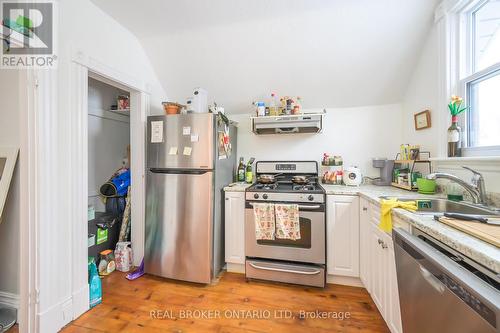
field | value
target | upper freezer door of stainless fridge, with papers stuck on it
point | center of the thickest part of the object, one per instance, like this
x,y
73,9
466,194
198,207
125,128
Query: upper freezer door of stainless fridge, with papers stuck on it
x,y
183,141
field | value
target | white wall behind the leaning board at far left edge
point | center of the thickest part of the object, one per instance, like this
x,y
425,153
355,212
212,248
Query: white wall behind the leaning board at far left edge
x,y
9,228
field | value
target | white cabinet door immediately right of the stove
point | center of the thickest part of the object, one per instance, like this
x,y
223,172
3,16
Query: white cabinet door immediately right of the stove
x,y
343,235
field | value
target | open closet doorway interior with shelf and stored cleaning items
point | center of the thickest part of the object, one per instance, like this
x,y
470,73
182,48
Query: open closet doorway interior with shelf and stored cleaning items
x,y
109,200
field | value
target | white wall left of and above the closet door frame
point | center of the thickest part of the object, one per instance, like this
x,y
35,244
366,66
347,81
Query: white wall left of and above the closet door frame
x,y
85,30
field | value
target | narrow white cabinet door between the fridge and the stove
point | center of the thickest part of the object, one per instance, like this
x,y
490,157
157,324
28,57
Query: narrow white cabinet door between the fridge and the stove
x,y
235,227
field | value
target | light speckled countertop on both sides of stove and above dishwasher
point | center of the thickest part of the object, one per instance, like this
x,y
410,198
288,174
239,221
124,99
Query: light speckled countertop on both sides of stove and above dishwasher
x,y
481,252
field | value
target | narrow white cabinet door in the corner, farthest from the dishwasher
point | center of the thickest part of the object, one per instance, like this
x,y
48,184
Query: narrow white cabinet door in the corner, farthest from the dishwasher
x,y
364,243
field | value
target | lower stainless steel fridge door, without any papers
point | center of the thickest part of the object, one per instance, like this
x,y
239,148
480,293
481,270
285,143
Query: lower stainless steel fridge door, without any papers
x,y
179,225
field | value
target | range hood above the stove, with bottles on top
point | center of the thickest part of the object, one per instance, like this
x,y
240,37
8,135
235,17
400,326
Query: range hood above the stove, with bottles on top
x,y
303,123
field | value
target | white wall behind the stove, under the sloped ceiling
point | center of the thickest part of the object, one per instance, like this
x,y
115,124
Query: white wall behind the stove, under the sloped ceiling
x,y
357,134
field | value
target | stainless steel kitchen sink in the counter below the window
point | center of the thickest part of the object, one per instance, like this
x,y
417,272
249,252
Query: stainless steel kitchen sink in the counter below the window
x,y
434,206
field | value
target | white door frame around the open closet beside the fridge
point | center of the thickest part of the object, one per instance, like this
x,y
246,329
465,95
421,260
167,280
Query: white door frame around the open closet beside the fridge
x,y
83,67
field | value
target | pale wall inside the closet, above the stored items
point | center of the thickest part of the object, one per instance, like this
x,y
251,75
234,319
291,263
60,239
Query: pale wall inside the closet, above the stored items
x,y
109,135
